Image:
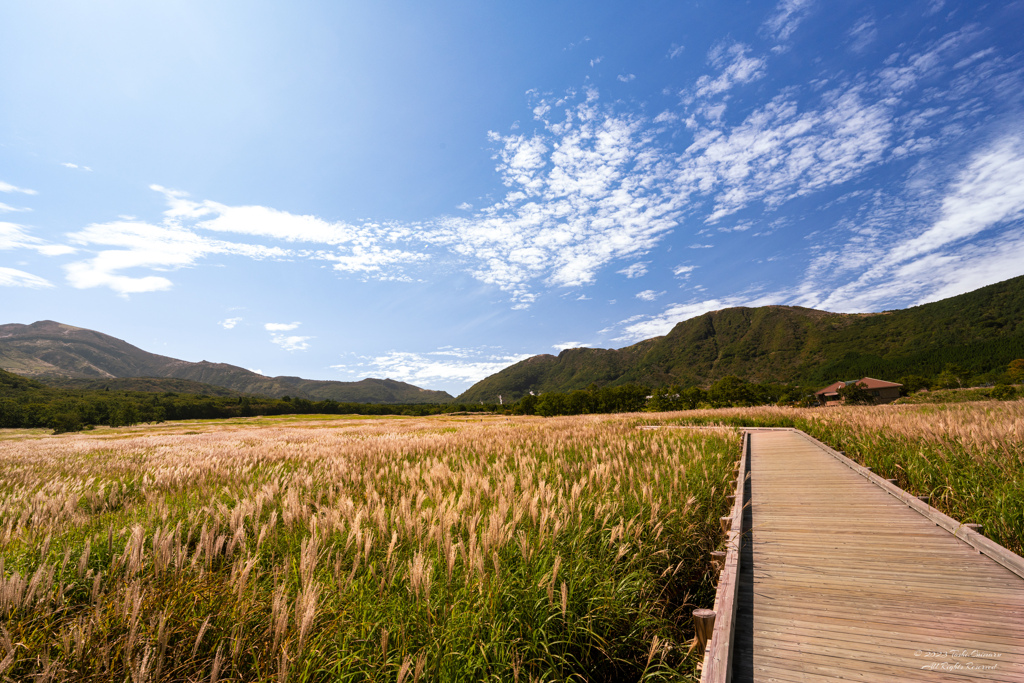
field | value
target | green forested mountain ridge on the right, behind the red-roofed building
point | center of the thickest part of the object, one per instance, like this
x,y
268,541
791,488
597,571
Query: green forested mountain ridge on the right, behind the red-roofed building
x,y
982,331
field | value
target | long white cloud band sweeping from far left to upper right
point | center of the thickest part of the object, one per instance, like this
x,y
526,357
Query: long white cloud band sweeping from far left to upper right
x,y
591,186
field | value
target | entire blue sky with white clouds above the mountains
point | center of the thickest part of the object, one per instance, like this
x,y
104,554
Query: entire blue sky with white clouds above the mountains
x,y
431,192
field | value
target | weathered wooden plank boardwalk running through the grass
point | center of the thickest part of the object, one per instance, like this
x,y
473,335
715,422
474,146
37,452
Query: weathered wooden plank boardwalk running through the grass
x,y
842,580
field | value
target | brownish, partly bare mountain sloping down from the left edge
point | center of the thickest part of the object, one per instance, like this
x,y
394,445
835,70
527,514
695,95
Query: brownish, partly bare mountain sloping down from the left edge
x,y
49,350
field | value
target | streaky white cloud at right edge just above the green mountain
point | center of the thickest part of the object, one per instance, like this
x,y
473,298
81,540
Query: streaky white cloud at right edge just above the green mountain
x,y
967,238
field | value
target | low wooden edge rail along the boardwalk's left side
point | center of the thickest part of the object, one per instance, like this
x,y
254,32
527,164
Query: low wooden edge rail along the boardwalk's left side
x,y
718,656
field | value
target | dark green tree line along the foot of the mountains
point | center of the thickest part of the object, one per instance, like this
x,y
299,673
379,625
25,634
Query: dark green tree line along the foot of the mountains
x,y
25,403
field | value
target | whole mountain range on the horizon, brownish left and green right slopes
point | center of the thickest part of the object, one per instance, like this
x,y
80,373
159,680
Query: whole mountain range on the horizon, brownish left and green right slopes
x,y
972,334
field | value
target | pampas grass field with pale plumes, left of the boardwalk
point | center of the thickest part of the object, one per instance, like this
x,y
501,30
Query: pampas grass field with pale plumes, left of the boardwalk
x,y
359,550
